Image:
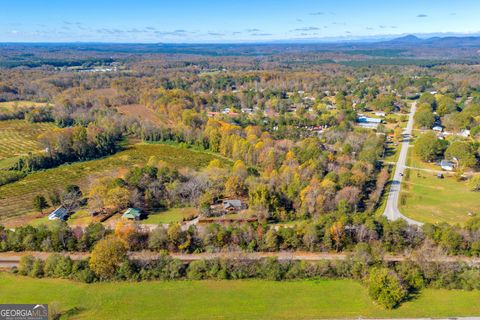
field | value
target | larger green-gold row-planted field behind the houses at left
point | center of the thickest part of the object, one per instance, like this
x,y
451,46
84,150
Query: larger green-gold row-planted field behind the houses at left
x,y
16,198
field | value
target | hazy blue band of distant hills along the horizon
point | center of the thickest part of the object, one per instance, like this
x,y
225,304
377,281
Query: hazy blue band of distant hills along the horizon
x,y
408,47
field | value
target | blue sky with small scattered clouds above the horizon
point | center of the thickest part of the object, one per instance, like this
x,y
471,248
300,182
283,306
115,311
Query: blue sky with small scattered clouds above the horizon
x,y
189,21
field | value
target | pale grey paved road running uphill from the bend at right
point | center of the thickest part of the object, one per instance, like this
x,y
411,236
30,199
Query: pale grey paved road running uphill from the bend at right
x,y
391,210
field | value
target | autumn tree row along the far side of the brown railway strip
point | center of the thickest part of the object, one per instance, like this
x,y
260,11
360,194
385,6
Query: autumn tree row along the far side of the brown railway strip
x,y
329,233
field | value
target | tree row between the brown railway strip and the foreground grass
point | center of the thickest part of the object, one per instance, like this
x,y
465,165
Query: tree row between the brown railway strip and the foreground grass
x,y
389,284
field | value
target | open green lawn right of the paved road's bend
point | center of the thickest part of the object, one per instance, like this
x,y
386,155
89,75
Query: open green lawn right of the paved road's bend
x,y
430,199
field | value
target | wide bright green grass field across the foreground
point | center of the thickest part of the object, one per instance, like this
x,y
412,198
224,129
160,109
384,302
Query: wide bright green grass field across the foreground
x,y
224,299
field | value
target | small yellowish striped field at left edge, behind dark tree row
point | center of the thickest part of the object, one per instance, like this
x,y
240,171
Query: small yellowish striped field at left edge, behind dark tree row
x,y
18,137
